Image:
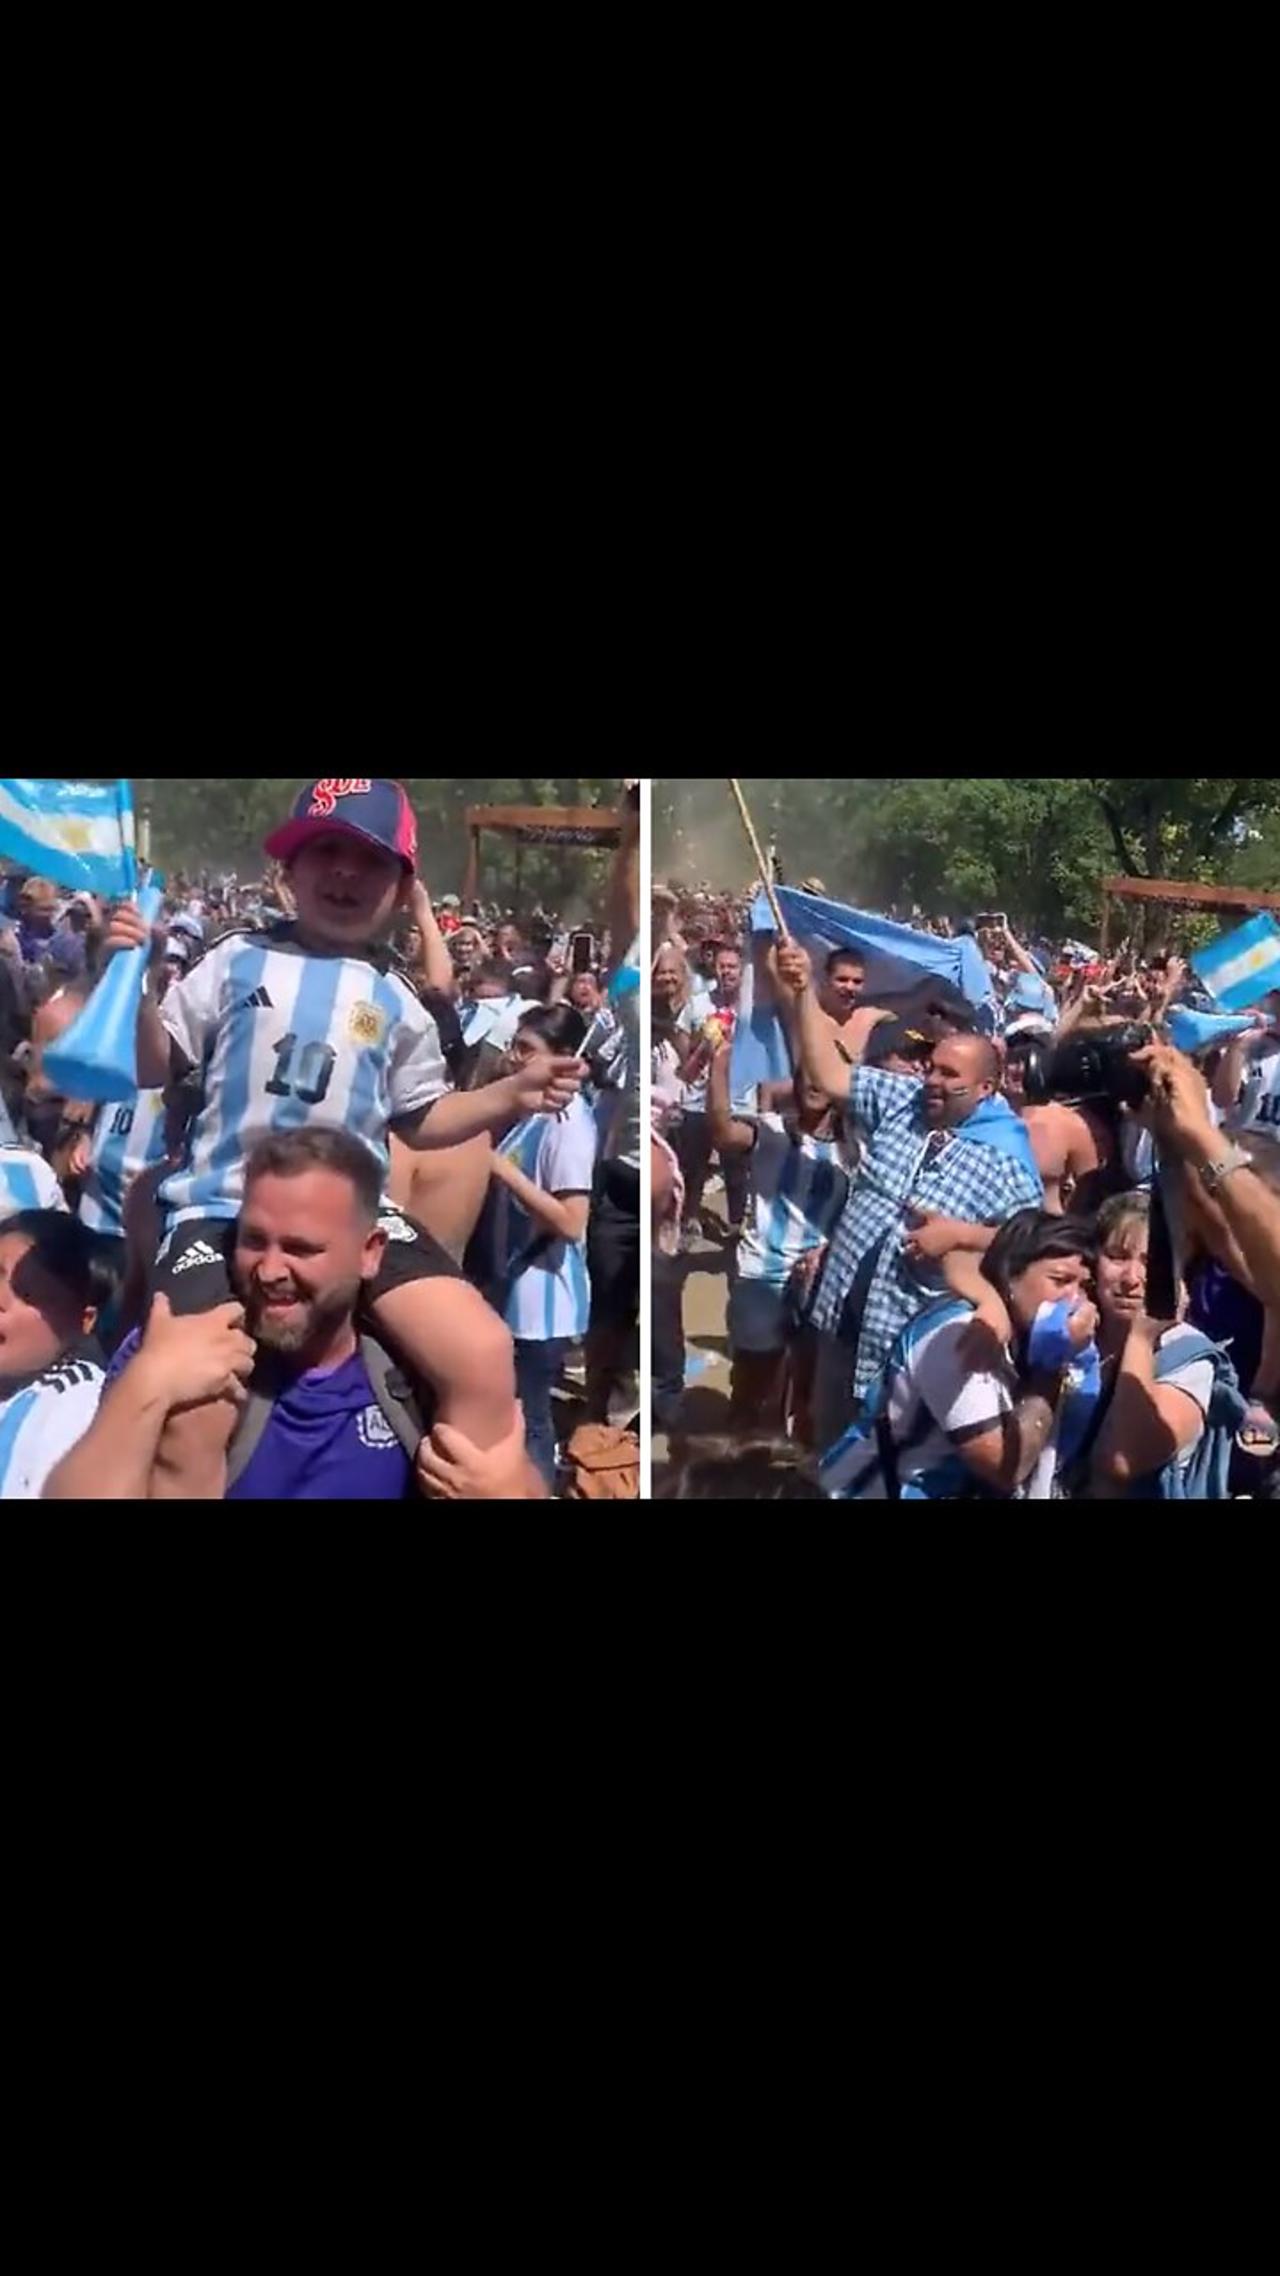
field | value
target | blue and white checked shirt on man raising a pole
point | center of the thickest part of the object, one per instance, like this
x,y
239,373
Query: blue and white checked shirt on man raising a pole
x,y
905,1164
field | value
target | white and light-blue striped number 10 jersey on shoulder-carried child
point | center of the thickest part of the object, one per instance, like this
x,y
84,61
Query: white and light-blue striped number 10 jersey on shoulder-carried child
x,y
290,1039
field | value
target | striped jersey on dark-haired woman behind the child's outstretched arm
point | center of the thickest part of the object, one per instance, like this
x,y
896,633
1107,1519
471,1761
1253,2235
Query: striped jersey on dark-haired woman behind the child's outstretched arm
x,y
548,1289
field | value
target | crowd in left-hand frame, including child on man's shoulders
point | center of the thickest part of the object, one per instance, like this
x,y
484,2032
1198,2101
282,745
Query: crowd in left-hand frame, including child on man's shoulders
x,y
370,1223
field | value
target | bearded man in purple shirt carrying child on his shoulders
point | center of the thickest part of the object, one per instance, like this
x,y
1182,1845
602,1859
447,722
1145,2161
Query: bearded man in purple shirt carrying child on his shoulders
x,y
311,1239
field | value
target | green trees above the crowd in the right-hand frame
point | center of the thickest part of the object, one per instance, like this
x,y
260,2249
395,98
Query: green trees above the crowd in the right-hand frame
x,y
1033,846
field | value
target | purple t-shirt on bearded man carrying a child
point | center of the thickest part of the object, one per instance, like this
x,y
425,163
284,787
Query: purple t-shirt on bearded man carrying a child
x,y
327,1442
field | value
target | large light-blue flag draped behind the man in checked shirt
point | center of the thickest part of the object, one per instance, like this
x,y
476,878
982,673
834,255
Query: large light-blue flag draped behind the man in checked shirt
x,y
899,964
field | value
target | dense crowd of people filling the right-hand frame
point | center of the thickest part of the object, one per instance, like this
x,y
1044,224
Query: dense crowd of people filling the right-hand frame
x,y
1010,1244
